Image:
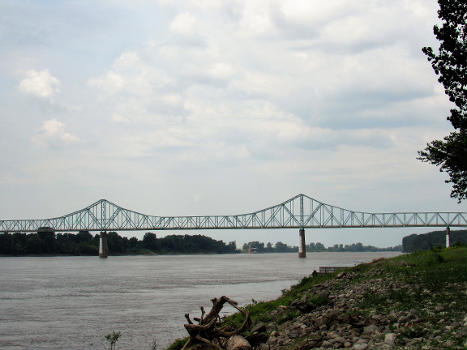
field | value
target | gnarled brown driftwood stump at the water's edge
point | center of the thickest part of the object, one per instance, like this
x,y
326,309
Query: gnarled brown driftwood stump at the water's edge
x,y
208,330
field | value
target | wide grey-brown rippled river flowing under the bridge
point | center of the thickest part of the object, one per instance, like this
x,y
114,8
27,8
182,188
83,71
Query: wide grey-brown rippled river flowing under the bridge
x,y
73,302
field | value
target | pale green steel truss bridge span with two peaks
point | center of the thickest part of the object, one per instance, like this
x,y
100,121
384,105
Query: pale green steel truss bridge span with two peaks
x,y
300,212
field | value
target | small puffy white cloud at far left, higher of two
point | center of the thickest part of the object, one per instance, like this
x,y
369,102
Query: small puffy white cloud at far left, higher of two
x,y
40,83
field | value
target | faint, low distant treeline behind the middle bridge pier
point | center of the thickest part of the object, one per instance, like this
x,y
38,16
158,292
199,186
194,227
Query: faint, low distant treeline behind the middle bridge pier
x,y
279,247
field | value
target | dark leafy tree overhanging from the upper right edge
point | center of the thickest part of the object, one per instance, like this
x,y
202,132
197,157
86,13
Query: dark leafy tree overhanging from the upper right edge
x,y
450,64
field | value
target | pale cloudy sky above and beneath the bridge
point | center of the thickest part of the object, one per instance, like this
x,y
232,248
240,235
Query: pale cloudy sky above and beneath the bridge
x,y
205,107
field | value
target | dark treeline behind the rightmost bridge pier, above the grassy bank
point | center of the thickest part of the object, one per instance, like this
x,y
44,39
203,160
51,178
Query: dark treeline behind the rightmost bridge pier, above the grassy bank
x,y
433,239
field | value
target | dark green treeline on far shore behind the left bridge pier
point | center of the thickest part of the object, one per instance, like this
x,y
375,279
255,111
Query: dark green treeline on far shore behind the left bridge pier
x,y
46,242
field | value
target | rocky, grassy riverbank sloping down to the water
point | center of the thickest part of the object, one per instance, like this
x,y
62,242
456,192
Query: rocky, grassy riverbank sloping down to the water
x,y
414,301
